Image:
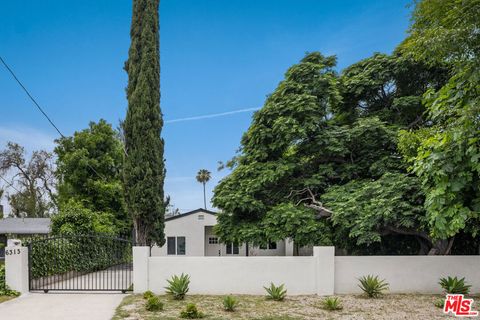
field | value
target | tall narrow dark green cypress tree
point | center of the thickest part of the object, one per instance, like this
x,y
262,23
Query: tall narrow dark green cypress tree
x,y
144,169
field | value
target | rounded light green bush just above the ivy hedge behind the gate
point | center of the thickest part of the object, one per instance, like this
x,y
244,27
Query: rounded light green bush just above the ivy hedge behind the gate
x,y
74,219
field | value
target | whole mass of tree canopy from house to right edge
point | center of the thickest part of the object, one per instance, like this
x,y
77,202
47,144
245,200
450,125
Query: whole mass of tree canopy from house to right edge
x,y
382,157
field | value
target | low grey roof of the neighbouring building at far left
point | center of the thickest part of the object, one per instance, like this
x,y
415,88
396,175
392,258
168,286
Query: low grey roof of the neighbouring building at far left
x,y
25,225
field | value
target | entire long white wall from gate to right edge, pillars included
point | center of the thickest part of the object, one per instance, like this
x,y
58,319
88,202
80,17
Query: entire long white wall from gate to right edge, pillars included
x,y
323,273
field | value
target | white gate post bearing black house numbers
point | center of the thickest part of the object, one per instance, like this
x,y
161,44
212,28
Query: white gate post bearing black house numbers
x,y
16,266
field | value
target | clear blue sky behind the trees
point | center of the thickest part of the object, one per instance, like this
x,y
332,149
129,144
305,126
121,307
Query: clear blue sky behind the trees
x,y
216,57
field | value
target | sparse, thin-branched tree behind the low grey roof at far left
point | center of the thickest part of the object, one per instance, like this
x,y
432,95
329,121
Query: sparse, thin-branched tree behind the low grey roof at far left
x,y
33,181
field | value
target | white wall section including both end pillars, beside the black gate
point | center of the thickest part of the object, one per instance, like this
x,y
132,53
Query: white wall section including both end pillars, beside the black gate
x,y
237,275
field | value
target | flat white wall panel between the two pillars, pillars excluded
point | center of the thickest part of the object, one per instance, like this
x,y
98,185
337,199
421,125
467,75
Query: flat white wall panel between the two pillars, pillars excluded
x,y
235,275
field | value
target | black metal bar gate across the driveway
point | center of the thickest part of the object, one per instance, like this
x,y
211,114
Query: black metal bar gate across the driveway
x,y
80,263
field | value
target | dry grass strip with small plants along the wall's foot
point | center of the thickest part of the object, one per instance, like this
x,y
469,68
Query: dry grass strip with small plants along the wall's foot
x,y
398,306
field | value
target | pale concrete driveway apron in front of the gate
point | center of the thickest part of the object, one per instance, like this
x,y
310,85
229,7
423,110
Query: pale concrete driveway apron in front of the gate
x,y
61,306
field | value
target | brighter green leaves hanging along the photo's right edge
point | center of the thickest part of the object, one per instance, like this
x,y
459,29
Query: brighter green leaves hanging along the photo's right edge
x,y
445,155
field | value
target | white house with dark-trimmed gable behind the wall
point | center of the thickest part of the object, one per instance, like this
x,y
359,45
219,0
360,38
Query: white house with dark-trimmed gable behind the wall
x,y
191,234
